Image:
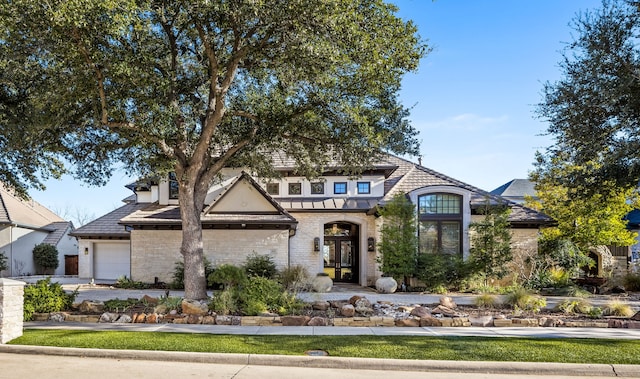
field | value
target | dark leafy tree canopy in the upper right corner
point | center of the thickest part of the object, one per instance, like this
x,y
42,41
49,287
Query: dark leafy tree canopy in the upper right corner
x,y
594,109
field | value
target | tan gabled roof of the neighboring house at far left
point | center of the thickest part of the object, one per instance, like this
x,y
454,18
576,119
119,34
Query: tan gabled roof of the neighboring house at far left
x,y
25,213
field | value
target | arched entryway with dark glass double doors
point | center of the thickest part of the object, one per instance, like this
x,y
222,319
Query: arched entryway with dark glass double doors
x,y
341,251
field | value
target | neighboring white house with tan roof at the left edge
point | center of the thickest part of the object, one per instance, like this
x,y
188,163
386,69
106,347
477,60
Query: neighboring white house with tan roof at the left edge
x,y
25,224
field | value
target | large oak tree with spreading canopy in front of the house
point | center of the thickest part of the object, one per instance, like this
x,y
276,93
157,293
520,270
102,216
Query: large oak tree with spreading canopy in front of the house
x,y
196,86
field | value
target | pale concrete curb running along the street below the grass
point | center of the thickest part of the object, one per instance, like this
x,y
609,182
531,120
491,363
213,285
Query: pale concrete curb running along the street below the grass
x,y
516,368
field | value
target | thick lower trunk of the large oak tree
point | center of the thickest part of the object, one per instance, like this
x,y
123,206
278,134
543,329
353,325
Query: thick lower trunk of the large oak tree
x,y
195,282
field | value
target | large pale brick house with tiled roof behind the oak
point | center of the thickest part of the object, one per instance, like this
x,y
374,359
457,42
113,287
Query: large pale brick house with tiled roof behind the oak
x,y
328,225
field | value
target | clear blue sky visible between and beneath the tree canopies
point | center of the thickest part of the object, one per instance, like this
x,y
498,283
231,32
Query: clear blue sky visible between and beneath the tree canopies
x,y
472,99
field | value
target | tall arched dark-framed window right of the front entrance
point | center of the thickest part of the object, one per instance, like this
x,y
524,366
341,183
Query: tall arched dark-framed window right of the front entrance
x,y
440,223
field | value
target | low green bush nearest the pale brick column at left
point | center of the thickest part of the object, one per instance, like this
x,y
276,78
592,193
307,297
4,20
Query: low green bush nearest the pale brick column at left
x,y
46,297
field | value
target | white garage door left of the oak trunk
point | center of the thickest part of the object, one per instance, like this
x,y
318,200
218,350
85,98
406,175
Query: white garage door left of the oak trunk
x,y
111,260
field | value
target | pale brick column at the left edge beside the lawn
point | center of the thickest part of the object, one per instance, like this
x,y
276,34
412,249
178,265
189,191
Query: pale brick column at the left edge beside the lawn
x,y
11,306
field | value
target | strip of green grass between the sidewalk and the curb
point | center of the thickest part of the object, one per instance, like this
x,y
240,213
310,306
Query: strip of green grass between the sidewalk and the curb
x,y
394,347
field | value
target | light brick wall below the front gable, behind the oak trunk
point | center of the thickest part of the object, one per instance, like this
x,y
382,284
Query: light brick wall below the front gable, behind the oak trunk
x,y
154,253
